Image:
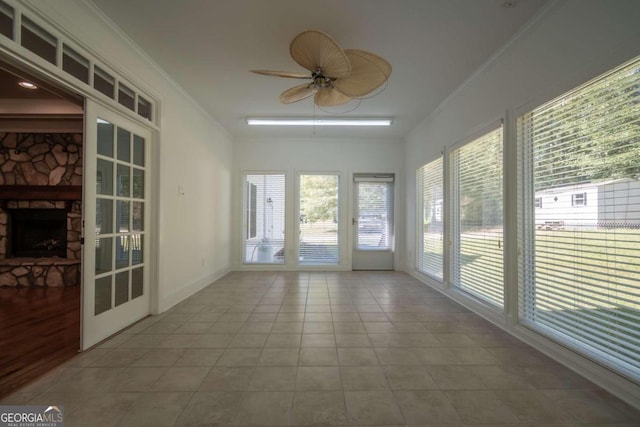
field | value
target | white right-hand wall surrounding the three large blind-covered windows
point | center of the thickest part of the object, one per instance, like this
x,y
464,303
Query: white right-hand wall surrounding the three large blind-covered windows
x,y
569,43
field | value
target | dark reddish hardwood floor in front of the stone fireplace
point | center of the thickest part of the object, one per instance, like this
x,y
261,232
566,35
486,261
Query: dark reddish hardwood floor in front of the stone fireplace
x,y
39,329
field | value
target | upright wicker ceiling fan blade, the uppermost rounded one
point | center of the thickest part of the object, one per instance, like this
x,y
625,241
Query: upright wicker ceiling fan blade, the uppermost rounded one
x,y
316,50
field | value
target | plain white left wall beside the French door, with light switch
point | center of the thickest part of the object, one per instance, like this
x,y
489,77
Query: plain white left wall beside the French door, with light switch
x,y
191,152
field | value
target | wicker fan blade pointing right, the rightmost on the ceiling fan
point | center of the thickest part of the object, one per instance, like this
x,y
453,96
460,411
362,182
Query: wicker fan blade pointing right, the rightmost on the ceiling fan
x,y
368,72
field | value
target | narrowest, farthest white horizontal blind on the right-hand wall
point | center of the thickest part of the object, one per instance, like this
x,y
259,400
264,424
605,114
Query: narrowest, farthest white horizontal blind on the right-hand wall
x,y
431,205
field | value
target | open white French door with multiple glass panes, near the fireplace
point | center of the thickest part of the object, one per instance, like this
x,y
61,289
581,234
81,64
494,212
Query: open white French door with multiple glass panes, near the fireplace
x,y
116,224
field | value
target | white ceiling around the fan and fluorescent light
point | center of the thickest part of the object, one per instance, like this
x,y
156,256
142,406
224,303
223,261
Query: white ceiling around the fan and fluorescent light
x,y
208,46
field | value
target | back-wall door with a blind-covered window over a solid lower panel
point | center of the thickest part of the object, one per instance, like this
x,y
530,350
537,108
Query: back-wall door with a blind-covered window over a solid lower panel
x,y
373,223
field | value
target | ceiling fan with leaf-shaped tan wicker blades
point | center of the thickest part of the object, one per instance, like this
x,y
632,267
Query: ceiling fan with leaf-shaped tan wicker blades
x,y
336,76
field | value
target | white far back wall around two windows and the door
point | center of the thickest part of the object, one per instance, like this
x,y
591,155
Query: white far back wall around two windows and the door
x,y
293,156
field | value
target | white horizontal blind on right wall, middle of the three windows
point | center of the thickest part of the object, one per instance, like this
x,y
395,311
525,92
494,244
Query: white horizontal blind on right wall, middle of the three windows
x,y
477,256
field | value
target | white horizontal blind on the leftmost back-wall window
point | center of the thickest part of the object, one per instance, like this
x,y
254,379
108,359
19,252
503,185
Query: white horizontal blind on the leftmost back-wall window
x,y
264,219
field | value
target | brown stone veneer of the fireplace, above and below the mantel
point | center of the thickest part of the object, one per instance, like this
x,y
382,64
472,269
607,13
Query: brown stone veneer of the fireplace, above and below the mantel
x,y
39,159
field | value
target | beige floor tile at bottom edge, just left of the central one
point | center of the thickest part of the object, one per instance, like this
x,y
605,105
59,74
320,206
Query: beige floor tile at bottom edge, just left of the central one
x,y
265,409
